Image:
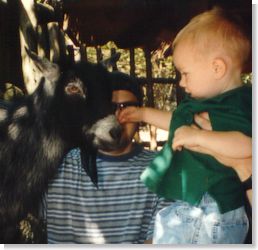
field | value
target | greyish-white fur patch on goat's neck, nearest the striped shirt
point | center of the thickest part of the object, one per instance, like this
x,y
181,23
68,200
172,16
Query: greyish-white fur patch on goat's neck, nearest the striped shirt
x,y
51,147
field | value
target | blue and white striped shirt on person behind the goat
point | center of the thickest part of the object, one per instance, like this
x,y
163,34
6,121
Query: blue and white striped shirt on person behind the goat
x,y
121,210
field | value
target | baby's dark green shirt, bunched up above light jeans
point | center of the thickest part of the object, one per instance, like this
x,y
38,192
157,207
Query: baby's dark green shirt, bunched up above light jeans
x,y
187,175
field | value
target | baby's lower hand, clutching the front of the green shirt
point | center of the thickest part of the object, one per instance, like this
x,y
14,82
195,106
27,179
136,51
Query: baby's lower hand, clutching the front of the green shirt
x,y
186,136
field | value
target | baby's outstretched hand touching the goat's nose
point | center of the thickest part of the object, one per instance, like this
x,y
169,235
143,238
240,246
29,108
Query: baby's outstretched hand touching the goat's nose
x,y
131,114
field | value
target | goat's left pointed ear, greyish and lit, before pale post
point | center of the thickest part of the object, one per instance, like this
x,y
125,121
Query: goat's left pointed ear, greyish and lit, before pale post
x,y
48,69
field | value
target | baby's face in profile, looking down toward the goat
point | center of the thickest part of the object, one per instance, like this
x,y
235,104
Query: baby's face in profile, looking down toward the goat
x,y
197,74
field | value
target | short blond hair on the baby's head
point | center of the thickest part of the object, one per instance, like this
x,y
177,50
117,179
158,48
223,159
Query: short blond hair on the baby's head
x,y
213,31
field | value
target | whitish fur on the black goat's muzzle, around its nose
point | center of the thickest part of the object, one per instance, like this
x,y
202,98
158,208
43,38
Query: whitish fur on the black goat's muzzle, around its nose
x,y
101,129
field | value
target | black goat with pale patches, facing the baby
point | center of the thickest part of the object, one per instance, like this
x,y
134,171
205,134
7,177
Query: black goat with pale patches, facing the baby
x,y
36,131
